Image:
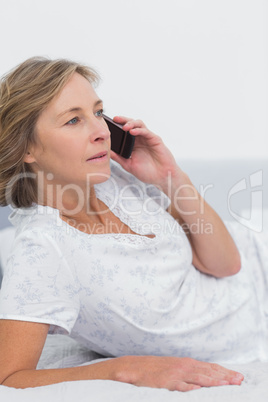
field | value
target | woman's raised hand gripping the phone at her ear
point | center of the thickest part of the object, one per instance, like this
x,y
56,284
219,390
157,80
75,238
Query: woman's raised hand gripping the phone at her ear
x,y
151,161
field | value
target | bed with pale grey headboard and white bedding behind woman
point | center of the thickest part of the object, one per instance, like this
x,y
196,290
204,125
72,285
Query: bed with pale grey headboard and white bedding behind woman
x,y
61,351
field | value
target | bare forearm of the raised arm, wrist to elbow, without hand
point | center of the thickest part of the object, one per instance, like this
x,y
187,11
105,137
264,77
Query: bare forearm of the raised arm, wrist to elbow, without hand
x,y
214,251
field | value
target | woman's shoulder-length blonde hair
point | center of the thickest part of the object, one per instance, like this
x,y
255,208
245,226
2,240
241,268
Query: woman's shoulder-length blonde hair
x,y
24,93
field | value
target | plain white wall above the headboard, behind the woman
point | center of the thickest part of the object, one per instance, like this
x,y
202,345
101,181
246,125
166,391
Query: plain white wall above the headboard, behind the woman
x,y
194,70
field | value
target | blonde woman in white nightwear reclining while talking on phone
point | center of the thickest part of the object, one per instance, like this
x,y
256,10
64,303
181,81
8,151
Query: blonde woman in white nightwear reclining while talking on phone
x,y
102,254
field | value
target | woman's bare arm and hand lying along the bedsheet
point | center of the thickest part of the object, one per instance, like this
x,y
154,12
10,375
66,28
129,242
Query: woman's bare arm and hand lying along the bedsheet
x,y
21,344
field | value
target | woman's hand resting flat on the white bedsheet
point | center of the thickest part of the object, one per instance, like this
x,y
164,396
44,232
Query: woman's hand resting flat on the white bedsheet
x,y
173,373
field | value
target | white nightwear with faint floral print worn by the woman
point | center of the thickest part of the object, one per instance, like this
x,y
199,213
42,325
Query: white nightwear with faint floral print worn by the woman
x,y
128,294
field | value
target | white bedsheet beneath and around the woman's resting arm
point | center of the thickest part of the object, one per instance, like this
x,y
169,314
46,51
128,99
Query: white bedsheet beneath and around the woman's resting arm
x,y
60,351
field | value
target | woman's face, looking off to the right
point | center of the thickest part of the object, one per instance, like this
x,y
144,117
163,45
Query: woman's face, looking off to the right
x,y
72,140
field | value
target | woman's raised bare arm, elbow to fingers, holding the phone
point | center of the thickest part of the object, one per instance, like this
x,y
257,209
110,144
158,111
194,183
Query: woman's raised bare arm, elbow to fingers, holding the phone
x,y
214,251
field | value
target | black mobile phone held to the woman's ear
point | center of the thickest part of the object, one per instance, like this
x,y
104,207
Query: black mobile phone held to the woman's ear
x,y
122,142
